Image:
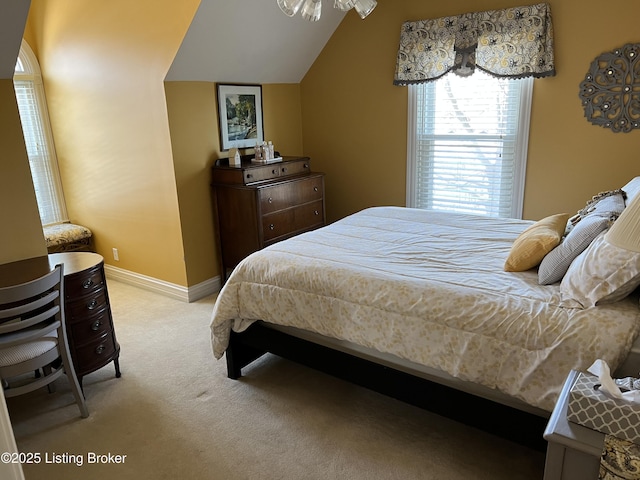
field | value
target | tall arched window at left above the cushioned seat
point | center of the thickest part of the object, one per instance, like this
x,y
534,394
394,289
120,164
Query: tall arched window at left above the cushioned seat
x,y
34,116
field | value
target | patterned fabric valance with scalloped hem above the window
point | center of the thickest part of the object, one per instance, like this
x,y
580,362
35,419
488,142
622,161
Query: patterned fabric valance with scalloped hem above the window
x,y
514,42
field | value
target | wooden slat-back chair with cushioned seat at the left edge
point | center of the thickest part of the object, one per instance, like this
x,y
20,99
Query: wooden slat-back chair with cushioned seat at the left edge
x,y
33,337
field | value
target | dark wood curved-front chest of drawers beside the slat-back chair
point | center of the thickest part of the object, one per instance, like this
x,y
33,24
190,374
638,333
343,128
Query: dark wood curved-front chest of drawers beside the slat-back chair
x,y
90,330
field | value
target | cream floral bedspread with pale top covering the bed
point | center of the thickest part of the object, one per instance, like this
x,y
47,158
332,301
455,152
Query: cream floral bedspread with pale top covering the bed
x,y
428,287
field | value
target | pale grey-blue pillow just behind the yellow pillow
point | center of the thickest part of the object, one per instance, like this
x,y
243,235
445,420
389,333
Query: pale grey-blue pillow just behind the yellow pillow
x,y
597,217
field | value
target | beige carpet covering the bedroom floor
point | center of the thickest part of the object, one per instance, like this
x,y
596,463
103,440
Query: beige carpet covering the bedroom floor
x,y
174,414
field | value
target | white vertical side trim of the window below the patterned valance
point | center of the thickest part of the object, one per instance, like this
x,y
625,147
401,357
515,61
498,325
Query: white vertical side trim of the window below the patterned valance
x,y
521,148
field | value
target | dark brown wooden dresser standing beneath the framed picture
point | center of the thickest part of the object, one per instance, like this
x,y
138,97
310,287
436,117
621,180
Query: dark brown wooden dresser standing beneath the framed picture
x,y
260,204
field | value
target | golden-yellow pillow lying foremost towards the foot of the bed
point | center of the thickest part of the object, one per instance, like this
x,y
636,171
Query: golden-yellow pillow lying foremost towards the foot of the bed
x,y
535,242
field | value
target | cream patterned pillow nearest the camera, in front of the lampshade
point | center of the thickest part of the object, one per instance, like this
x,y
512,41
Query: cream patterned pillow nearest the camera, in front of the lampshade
x,y
603,273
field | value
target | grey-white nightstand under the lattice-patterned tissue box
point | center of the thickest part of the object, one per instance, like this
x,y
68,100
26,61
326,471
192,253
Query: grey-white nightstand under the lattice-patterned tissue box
x,y
574,451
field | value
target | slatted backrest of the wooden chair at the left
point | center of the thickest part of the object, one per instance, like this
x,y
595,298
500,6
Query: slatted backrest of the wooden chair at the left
x,y
30,303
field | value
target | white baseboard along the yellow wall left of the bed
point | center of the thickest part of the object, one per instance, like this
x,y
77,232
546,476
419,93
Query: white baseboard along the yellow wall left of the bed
x,y
186,294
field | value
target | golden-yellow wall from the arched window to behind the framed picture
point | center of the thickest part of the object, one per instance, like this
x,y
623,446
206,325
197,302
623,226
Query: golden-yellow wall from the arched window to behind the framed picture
x,y
135,153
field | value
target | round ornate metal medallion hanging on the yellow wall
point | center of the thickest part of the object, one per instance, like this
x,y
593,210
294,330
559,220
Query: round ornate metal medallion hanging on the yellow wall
x,y
610,92
